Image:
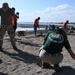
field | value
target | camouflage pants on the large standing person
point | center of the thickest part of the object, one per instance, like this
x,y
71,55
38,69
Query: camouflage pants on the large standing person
x,y
10,31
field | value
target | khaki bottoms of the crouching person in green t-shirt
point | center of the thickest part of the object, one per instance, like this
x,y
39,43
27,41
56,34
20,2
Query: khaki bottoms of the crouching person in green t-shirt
x,y
50,58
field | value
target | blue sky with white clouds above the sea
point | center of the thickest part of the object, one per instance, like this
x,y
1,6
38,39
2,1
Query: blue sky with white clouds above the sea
x,y
47,10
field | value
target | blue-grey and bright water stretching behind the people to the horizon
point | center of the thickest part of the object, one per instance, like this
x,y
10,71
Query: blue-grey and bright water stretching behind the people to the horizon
x,y
28,26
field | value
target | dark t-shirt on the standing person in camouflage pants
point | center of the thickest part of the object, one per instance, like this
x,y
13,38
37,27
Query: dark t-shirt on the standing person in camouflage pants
x,y
6,16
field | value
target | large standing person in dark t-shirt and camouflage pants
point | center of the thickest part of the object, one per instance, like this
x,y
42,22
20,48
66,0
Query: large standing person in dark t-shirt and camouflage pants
x,y
6,14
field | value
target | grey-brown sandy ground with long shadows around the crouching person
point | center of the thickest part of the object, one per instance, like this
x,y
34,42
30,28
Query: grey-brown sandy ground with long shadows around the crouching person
x,y
25,60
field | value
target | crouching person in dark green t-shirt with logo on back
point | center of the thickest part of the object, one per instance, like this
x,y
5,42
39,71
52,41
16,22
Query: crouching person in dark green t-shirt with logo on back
x,y
50,52
